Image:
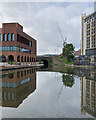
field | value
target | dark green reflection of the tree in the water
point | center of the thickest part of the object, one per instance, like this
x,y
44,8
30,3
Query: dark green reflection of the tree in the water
x,y
68,80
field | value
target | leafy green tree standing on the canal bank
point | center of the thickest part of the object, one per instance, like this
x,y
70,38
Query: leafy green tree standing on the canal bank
x,y
68,52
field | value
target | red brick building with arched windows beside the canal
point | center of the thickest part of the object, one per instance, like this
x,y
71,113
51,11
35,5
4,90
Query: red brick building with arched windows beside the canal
x,y
16,45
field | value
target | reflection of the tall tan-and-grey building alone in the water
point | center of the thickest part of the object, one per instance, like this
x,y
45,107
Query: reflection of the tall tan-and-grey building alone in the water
x,y
88,96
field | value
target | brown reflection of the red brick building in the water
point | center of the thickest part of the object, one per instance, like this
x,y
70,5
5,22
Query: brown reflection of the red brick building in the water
x,y
17,86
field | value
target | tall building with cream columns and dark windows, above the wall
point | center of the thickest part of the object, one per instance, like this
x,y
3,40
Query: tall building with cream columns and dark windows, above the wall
x,y
88,33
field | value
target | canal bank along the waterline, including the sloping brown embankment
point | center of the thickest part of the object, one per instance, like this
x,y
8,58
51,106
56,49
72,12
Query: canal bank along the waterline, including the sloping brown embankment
x,y
53,63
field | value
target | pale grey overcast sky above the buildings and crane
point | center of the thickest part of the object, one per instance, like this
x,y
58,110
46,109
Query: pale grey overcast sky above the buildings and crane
x,y
41,21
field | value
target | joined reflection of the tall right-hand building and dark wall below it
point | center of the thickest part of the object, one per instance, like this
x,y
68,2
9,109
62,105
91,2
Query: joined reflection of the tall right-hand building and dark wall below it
x,y
88,90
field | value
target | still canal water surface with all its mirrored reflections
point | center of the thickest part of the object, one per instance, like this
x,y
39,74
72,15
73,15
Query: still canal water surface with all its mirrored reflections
x,y
29,93
